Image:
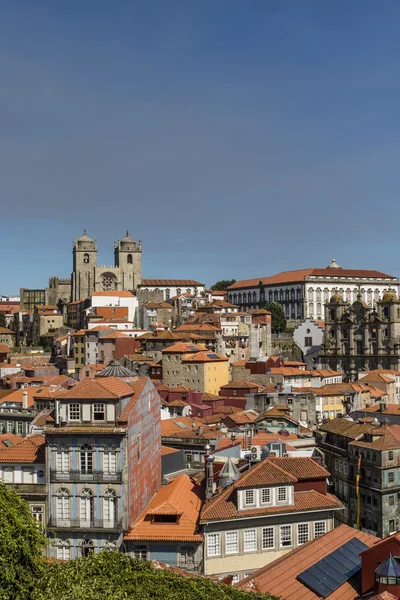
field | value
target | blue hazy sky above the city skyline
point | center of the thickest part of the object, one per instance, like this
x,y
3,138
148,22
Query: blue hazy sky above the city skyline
x,y
235,138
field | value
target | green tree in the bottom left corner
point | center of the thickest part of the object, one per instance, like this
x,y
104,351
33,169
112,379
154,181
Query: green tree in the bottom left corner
x,y
21,547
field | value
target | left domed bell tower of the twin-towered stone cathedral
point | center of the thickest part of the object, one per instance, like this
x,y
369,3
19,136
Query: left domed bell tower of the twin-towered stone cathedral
x,y
84,252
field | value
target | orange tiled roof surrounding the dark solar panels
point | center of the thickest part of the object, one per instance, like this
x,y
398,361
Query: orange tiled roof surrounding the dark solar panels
x,y
280,576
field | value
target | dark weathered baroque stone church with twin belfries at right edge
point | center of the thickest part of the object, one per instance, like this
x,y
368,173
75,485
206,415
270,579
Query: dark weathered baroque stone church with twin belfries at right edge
x,y
358,337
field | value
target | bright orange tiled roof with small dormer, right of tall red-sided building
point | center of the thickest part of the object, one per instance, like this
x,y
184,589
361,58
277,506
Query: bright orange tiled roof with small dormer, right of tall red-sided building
x,y
181,497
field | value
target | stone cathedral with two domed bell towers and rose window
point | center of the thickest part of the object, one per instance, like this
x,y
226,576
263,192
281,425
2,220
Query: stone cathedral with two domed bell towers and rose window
x,y
88,276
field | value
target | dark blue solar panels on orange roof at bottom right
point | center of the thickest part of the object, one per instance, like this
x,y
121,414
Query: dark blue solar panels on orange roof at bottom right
x,y
331,572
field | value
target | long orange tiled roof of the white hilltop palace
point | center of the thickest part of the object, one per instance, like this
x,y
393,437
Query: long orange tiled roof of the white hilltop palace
x,y
304,274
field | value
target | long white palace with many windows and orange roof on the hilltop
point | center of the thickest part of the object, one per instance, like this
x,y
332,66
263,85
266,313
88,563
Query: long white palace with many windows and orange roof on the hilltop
x,y
303,293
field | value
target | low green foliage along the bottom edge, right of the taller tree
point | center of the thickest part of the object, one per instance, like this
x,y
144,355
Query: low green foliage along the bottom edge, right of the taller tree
x,y
112,575
